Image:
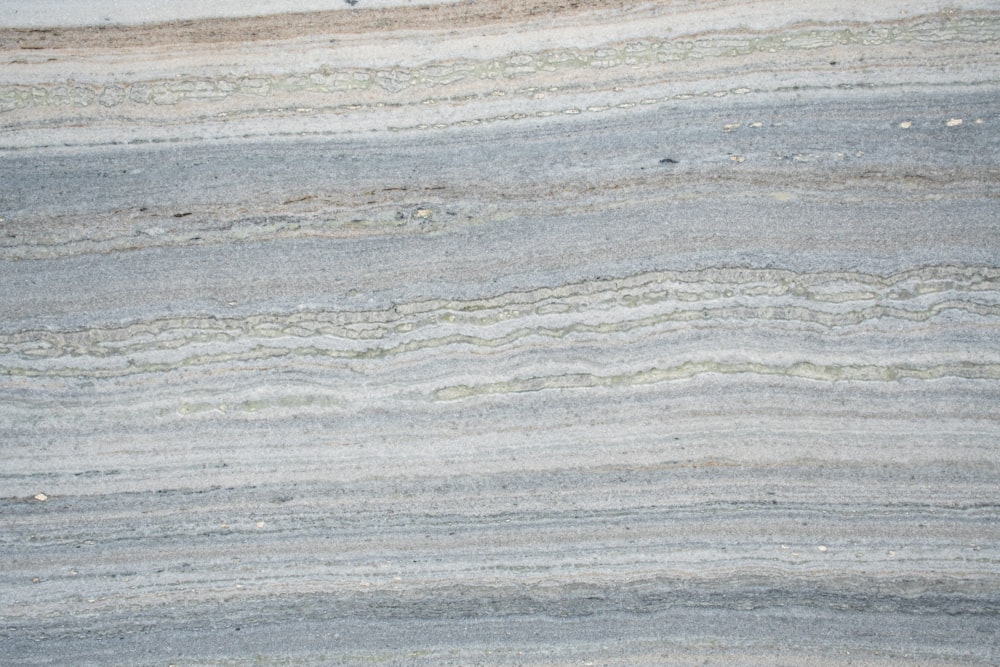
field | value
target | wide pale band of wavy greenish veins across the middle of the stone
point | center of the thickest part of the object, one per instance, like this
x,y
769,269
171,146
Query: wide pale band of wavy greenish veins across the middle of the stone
x,y
924,323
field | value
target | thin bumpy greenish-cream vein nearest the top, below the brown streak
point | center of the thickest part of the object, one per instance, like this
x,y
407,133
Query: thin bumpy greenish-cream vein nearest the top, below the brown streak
x,y
649,60
